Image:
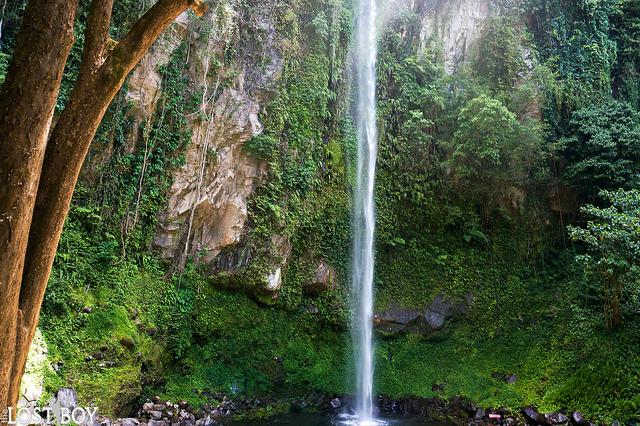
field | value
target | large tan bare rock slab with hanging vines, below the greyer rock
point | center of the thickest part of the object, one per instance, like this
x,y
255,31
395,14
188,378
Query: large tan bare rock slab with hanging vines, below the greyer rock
x,y
208,199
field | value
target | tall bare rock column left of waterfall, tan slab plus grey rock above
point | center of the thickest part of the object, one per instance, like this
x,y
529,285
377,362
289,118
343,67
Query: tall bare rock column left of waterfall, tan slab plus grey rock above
x,y
207,207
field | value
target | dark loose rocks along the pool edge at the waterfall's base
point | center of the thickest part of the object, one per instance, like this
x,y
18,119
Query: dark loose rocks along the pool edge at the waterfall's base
x,y
456,411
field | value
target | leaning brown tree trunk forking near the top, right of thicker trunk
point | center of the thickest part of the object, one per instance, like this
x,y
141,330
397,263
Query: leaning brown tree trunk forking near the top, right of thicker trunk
x,y
102,73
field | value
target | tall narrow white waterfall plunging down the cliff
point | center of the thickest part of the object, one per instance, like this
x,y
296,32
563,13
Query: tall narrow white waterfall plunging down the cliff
x,y
364,208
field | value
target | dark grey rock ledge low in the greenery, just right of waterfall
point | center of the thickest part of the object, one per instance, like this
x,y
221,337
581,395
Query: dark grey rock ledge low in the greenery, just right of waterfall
x,y
421,321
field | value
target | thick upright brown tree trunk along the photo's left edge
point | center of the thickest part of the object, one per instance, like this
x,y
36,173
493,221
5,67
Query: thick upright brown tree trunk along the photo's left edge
x,y
27,103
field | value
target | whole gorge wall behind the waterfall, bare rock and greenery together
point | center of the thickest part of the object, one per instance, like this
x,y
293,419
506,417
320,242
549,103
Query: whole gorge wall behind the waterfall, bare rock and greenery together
x,y
207,252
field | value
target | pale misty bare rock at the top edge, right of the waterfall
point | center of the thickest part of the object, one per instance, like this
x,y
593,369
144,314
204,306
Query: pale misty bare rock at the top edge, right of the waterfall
x,y
457,24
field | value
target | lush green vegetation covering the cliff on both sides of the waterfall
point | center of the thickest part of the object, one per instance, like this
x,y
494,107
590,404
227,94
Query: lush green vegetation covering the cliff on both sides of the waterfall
x,y
469,166
